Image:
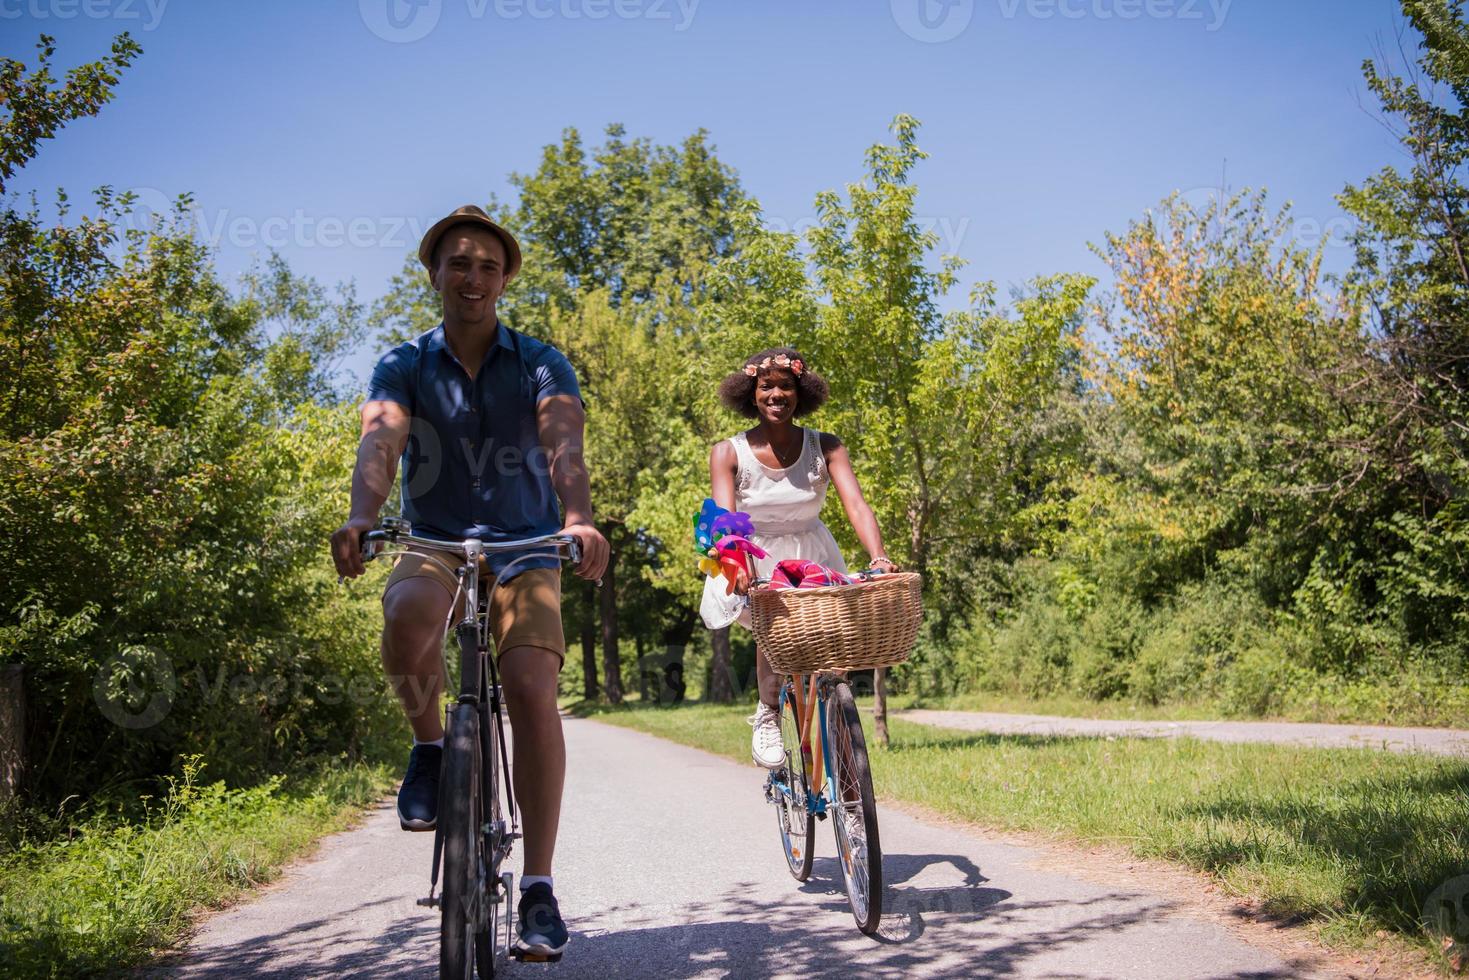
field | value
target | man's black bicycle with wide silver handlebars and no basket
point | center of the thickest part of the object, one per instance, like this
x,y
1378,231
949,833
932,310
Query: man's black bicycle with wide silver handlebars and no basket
x,y
477,825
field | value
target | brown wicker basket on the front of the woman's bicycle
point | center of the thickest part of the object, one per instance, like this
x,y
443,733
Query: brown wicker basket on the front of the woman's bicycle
x,y
841,627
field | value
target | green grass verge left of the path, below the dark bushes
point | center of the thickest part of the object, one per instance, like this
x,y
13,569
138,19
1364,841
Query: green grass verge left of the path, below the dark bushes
x,y
109,894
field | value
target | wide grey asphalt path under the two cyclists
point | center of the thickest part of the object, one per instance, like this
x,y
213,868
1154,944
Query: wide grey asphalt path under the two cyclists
x,y
669,866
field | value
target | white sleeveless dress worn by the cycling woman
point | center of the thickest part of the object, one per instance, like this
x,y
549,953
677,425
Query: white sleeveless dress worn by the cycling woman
x,y
785,506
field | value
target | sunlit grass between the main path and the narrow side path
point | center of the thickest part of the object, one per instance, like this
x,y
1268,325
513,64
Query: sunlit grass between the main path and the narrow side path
x,y
1349,841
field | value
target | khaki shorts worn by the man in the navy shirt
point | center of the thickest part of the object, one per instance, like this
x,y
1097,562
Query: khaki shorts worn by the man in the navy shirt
x,y
525,612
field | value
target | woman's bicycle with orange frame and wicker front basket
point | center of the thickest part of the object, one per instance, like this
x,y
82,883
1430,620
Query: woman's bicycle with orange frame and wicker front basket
x,y
816,638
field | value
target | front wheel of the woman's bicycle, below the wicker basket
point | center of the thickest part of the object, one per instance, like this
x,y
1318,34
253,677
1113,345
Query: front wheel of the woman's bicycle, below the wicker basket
x,y
862,868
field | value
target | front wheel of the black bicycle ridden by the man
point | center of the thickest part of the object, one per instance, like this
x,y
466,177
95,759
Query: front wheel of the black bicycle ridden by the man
x,y
463,906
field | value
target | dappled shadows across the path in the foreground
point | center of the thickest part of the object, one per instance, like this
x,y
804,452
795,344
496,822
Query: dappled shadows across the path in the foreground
x,y
957,931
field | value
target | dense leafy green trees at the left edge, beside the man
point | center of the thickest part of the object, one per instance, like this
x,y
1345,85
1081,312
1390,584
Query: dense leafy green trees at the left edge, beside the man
x,y
164,499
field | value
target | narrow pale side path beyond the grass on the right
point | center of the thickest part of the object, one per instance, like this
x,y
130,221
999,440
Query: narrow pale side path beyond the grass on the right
x,y
1373,737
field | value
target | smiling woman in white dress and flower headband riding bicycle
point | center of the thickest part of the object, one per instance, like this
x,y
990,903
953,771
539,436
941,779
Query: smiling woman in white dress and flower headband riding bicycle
x,y
778,474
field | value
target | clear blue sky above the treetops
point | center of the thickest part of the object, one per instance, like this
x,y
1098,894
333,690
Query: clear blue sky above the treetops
x,y
336,129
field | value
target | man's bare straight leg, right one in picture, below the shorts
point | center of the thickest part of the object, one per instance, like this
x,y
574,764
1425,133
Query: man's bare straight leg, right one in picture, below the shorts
x,y
530,677
